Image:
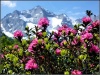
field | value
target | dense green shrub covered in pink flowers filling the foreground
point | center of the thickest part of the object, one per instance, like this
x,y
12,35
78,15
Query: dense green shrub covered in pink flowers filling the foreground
x,y
68,51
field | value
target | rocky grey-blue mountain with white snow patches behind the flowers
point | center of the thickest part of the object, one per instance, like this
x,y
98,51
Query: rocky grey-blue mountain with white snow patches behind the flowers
x,y
17,20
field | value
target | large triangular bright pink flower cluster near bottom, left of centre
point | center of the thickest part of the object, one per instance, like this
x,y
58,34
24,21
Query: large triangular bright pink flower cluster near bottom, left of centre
x,y
31,64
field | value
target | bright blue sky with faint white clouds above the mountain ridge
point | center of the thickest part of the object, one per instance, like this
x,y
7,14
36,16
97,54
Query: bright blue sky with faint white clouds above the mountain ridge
x,y
74,9
